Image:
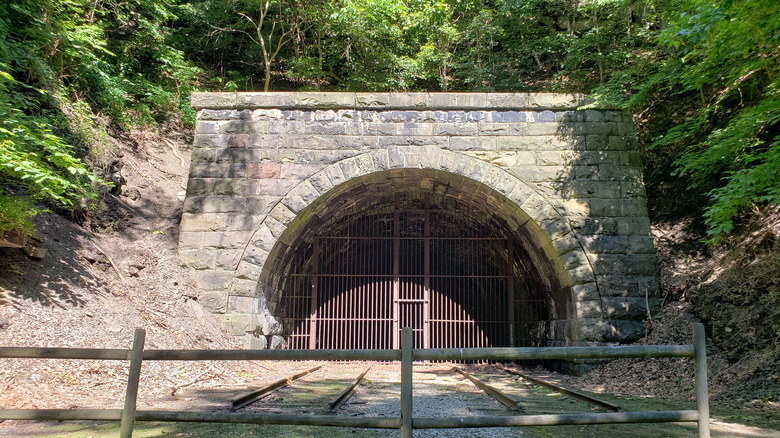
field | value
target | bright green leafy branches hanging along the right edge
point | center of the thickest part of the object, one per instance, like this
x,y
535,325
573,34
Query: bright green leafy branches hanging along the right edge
x,y
726,56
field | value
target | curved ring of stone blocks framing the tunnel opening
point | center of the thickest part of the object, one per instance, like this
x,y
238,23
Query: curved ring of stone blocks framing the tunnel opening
x,y
544,231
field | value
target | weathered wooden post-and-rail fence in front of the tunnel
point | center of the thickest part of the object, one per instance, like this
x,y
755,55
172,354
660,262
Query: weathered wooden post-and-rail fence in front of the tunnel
x,y
406,355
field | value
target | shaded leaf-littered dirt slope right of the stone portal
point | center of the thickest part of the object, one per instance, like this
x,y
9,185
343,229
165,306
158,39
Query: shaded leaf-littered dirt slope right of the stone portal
x,y
734,289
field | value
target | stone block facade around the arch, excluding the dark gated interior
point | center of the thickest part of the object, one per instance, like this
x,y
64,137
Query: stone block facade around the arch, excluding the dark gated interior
x,y
564,183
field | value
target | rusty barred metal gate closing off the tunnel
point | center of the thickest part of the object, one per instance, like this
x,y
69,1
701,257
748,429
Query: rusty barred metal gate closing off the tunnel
x,y
431,270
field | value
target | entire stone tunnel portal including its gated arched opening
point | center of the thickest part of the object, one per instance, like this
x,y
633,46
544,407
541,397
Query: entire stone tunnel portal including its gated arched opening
x,y
481,219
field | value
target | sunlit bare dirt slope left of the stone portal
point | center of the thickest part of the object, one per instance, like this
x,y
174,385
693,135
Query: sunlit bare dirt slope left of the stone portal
x,y
74,297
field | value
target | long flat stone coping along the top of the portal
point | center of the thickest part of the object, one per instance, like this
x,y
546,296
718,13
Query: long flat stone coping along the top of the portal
x,y
380,101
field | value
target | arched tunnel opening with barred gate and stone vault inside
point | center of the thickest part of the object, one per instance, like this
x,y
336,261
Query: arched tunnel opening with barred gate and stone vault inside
x,y
443,254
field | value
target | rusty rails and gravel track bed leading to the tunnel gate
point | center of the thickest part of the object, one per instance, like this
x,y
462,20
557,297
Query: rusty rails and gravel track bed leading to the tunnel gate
x,y
439,390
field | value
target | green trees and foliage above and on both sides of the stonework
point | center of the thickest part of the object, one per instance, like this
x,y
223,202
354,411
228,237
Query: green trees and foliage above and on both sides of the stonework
x,y
701,74
